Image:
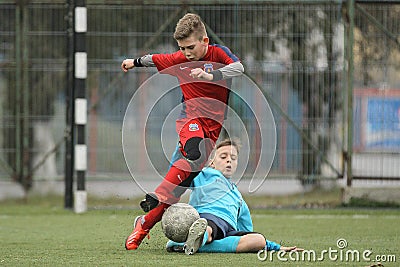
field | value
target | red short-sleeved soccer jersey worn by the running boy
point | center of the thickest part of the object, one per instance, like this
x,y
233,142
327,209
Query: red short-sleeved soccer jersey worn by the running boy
x,y
202,99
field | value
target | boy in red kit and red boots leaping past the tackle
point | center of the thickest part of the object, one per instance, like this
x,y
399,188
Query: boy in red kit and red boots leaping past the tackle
x,y
204,73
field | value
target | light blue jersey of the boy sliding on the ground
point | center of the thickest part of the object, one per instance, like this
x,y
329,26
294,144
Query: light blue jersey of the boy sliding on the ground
x,y
214,193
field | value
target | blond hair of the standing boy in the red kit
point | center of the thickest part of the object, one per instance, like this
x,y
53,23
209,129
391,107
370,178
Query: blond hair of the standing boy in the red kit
x,y
189,24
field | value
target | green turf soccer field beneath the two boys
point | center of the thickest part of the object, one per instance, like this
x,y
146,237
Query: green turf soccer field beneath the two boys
x,y
45,234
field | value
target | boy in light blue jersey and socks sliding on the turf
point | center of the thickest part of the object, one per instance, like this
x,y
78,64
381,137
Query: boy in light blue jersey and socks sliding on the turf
x,y
225,224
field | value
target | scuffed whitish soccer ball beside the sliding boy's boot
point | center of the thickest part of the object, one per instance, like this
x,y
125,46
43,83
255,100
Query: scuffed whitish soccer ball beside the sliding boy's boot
x,y
177,220
